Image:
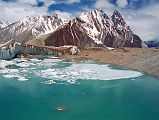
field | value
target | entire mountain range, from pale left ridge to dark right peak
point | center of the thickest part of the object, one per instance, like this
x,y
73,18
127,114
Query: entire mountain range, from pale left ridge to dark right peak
x,y
93,28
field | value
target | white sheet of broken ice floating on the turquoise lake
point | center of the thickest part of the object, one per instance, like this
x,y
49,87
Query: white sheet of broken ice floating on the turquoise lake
x,y
71,73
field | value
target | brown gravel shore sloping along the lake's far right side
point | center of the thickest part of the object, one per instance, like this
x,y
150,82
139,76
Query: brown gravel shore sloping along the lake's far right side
x,y
141,59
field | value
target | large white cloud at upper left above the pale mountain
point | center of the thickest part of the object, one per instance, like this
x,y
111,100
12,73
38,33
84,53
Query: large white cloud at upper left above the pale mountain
x,y
13,12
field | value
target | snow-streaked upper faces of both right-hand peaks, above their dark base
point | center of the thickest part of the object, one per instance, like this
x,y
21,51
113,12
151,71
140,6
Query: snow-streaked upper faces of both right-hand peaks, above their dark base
x,y
98,25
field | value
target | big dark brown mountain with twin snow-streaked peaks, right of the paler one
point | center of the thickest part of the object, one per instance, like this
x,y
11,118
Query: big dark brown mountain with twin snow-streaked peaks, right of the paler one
x,y
95,28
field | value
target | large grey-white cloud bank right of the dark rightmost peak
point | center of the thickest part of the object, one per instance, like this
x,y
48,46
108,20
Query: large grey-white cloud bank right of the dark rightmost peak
x,y
144,22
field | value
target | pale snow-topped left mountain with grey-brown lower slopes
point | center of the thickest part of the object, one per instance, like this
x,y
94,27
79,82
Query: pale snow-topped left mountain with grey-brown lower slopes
x,y
30,27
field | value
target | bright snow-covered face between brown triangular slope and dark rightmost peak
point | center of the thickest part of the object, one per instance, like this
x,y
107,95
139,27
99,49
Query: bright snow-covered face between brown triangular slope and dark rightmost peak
x,y
95,22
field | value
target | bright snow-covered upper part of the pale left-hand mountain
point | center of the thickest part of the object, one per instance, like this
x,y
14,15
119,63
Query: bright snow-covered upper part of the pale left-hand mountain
x,y
41,24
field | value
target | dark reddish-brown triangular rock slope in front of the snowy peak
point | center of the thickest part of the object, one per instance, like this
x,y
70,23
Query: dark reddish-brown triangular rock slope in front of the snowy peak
x,y
70,34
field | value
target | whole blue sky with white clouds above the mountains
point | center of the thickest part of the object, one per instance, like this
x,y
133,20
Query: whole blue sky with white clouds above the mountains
x,y
141,15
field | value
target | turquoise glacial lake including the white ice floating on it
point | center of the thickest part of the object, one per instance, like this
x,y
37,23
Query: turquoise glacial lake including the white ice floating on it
x,y
53,89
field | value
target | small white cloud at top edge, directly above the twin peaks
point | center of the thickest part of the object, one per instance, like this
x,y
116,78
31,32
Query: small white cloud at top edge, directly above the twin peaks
x,y
102,4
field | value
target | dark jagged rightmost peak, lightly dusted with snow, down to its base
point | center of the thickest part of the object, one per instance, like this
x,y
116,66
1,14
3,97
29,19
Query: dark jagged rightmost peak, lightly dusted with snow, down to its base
x,y
125,37
